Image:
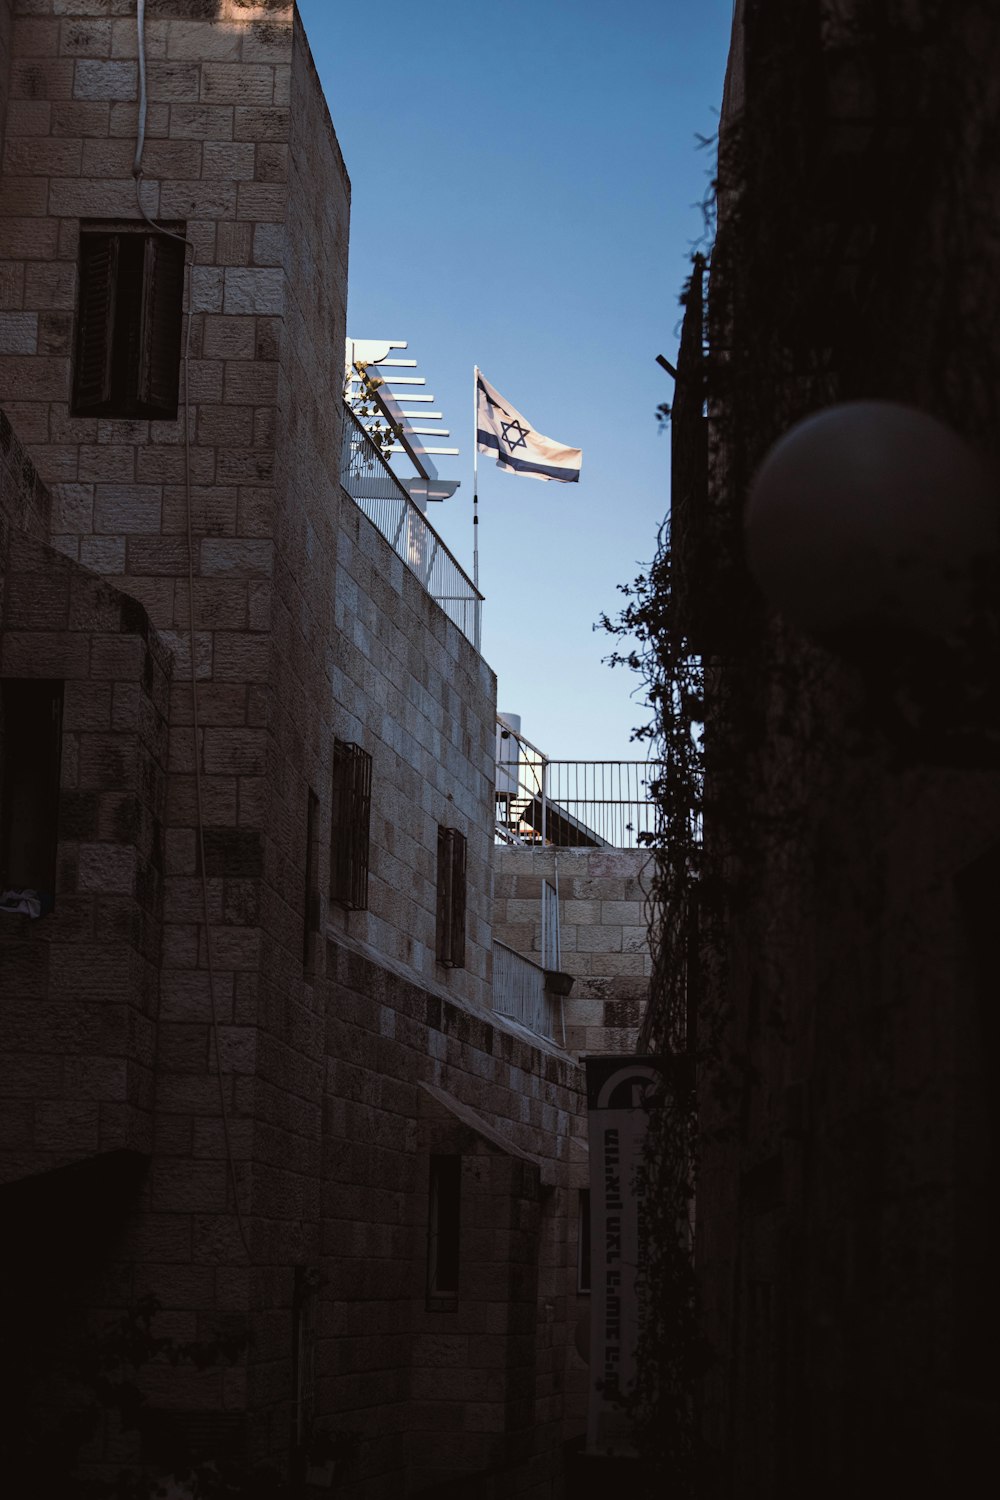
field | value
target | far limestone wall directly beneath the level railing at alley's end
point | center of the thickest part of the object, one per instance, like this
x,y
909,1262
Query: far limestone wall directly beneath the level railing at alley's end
x,y
603,913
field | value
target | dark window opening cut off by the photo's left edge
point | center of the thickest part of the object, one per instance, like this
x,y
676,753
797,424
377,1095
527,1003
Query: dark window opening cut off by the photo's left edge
x,y
31,743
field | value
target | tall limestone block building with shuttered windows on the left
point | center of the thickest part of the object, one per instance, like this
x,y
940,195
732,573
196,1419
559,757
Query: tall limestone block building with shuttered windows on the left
x,y
250,1061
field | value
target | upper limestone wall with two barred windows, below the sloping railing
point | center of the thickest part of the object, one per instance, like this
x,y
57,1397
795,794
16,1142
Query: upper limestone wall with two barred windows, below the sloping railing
x,y
421,700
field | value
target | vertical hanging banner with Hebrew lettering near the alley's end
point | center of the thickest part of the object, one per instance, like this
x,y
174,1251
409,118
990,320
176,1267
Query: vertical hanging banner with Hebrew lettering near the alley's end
x,y
618,1096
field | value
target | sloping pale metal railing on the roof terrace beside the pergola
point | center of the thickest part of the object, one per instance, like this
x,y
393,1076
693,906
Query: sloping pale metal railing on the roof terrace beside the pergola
x,y
379,494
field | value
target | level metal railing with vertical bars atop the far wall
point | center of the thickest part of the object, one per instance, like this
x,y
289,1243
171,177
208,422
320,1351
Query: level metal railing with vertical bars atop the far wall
x,y
572,805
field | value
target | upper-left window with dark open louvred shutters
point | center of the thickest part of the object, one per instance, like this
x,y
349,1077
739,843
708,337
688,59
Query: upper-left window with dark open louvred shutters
x,y
128,325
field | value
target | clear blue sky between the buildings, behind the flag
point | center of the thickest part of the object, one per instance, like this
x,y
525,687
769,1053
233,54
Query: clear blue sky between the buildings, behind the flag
x,y
527,190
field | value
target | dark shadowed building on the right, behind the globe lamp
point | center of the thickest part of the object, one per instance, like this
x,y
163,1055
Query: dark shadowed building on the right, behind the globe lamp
x,y
846,976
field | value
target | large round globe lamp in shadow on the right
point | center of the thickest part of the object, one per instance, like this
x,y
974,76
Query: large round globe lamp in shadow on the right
x,y
872,515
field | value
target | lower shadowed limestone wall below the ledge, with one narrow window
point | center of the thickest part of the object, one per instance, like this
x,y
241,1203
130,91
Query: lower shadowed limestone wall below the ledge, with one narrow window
x,y
493,1387
